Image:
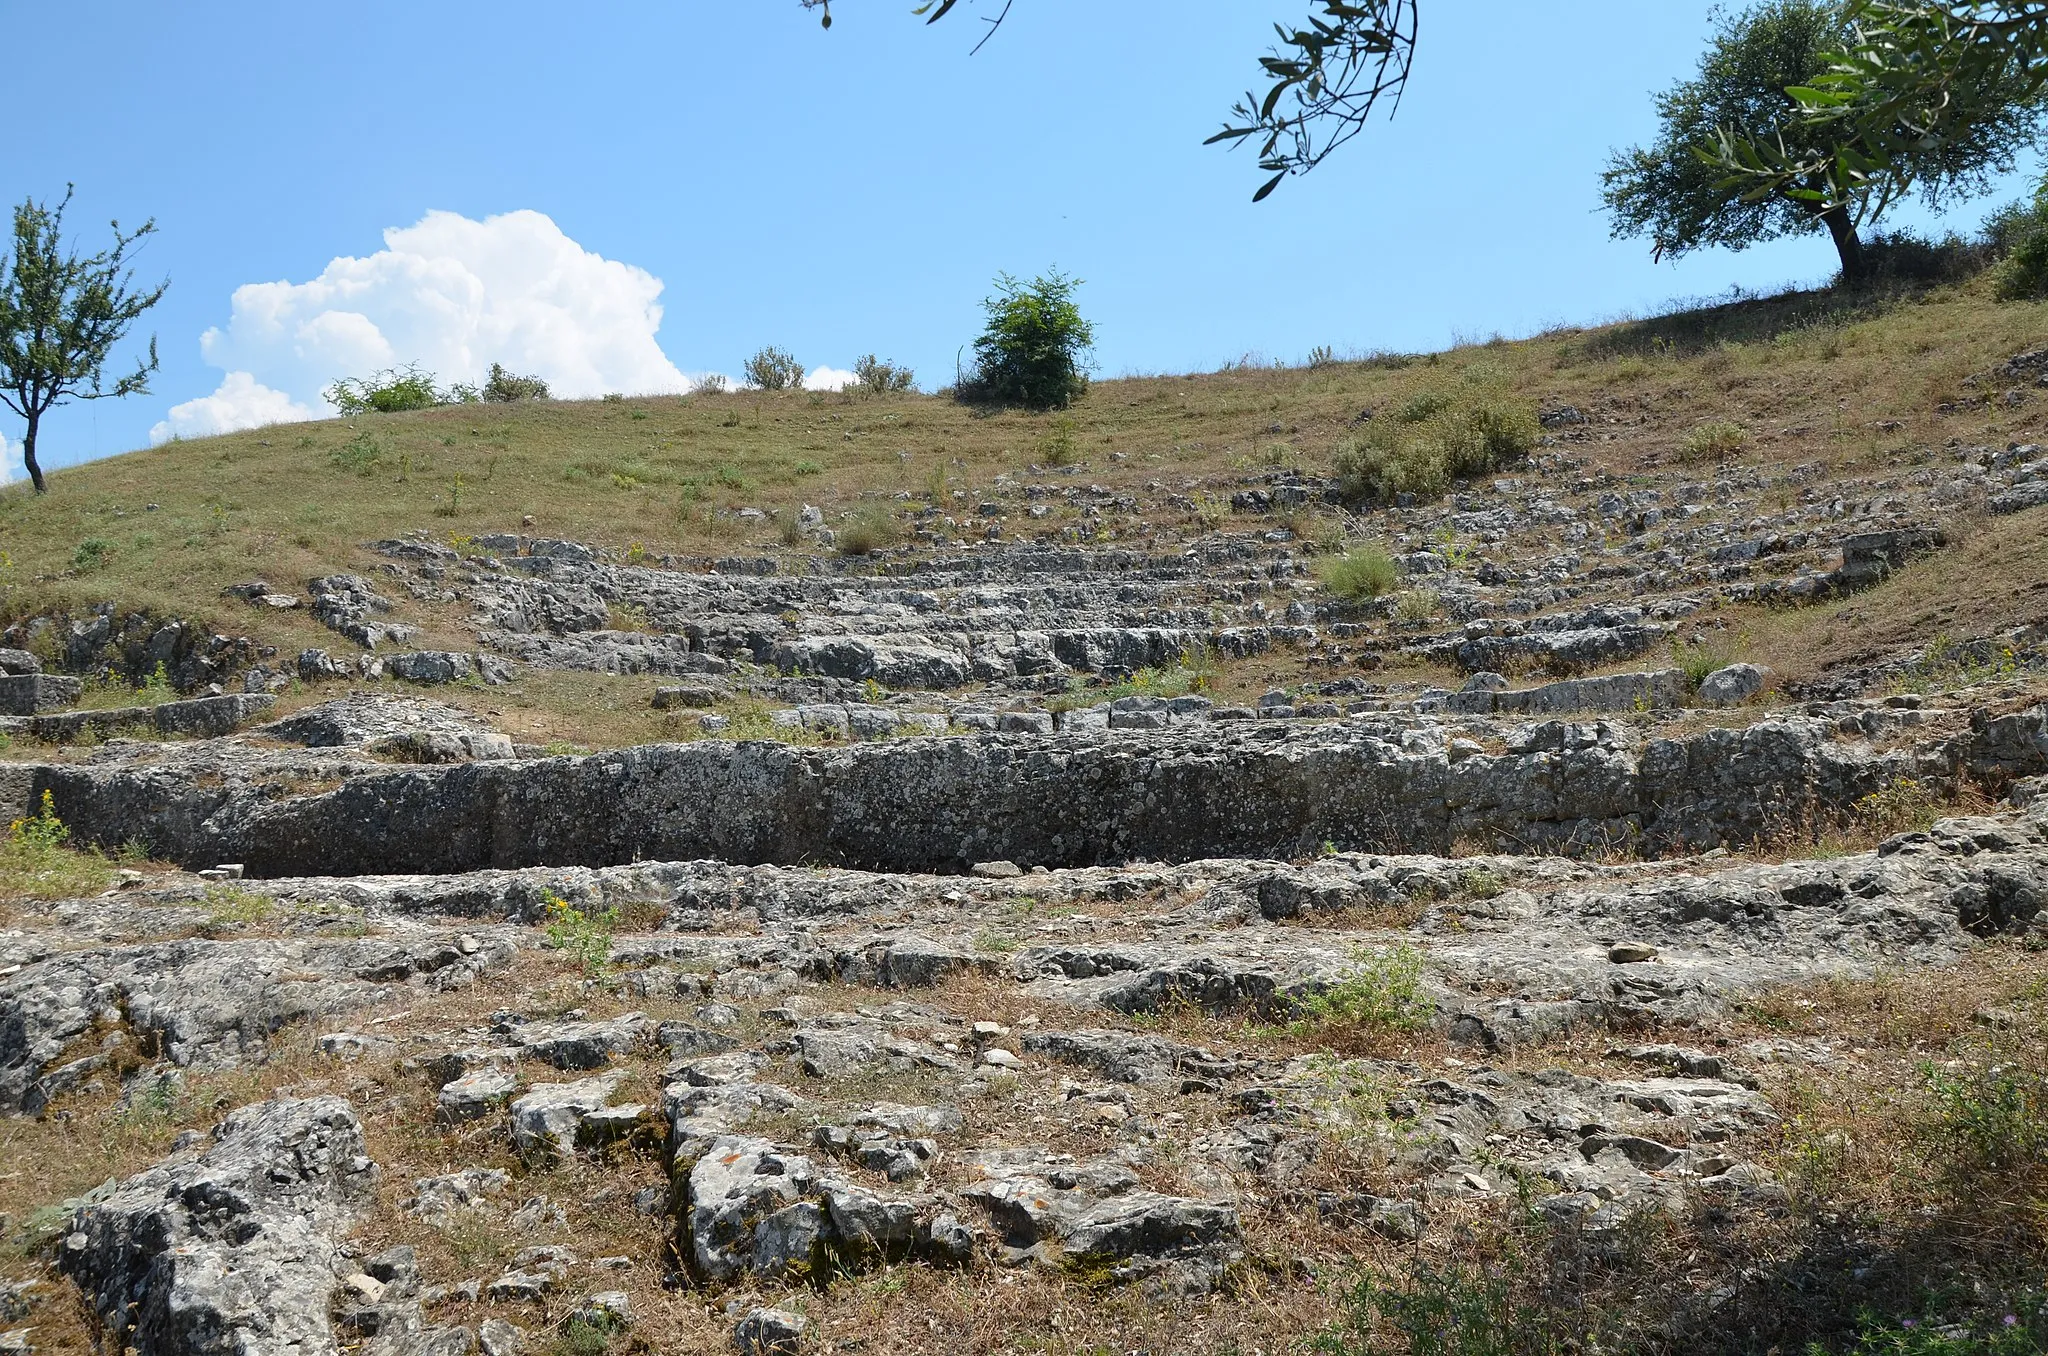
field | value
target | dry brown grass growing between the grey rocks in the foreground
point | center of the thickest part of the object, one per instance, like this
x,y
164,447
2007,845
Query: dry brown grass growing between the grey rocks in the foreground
x,y
1861,1150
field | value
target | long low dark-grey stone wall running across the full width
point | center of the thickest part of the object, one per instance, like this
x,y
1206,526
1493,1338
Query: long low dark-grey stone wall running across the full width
x,y
949,802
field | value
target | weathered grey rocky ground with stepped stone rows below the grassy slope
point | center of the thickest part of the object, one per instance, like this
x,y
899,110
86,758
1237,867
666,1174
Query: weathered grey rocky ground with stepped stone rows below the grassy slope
x,y
1021,943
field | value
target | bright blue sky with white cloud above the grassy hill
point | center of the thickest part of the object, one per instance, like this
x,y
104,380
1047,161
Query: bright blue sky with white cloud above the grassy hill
x,y
835,194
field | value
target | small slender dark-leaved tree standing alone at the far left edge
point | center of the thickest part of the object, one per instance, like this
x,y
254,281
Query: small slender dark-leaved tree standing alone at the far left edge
x,y
60,321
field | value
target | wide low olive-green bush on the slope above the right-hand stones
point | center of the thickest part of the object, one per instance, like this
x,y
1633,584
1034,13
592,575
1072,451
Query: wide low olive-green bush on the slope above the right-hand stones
x,y
1435,439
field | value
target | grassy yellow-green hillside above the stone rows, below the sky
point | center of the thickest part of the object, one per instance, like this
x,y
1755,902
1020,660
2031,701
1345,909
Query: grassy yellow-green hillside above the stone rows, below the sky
x,y
1809,380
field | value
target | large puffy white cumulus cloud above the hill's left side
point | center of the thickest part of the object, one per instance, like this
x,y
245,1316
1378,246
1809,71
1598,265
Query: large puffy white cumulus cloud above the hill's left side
x,y
452,296
